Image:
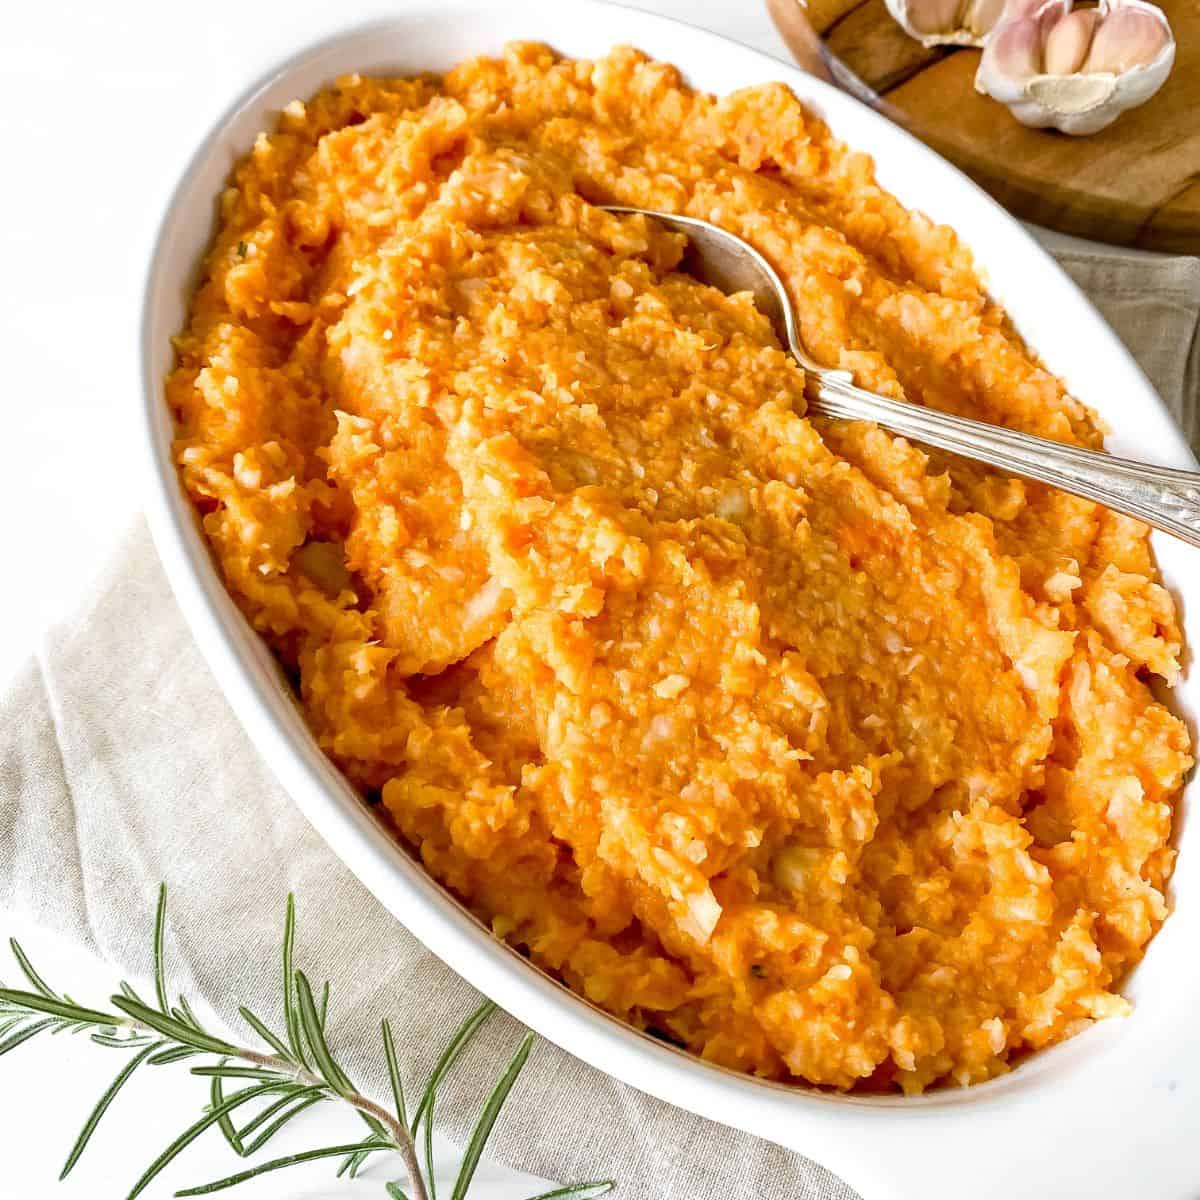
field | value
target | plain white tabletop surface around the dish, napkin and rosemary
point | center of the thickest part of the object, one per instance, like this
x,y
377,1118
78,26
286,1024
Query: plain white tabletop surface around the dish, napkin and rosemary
x,y
85,89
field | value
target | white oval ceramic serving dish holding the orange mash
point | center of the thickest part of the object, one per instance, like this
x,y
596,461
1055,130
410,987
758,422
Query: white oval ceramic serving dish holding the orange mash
x,y
1113,1113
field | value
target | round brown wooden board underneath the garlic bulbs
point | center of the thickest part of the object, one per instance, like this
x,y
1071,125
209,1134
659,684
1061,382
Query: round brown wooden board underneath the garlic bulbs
x,y
1135,184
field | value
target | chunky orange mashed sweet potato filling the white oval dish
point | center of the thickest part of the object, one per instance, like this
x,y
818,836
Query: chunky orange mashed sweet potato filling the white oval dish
x,y
821,755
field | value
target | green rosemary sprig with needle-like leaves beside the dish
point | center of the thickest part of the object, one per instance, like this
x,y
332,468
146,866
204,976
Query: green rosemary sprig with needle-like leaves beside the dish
x,y
297,1071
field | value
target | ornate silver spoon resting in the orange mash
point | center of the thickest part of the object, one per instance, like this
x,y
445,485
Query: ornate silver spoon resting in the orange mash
x,y
1161,496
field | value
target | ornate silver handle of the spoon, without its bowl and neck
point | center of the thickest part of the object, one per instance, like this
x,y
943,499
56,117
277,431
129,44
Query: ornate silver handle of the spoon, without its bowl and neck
x,y
1161,496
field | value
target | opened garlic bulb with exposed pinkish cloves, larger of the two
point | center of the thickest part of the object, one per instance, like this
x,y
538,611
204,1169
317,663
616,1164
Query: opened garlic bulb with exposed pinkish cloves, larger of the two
x,y
1076,70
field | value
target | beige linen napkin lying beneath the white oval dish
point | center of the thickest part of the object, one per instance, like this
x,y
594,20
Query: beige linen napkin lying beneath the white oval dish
x,y
122,765
